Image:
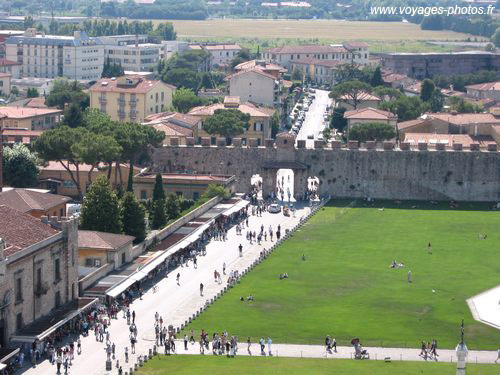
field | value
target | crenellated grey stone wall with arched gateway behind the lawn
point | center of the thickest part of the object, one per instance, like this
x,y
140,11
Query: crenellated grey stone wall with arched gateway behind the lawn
x,y
382,171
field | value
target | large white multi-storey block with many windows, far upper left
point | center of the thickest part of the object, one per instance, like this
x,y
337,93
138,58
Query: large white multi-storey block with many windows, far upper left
x,y
77,57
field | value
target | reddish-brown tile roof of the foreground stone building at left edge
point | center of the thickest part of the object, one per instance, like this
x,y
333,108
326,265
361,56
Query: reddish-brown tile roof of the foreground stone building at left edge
x,y
20,230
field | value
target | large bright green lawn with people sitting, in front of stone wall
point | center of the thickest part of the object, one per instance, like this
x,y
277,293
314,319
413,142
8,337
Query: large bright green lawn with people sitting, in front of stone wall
x,y
345,288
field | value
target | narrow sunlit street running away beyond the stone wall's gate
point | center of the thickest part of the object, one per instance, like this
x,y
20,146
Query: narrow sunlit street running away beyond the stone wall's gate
x,y
314,124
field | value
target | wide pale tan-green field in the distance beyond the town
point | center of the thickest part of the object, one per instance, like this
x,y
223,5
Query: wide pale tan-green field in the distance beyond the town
x,y
382,36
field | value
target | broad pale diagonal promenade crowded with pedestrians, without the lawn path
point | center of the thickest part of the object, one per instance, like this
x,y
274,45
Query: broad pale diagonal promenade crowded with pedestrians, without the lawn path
x,y
175,303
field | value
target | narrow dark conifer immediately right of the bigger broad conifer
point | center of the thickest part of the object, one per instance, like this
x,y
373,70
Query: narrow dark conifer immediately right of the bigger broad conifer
x,y
133,217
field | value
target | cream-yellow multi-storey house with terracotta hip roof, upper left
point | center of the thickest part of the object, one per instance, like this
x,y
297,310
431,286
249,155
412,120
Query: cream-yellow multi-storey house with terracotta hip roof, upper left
x,y
130,98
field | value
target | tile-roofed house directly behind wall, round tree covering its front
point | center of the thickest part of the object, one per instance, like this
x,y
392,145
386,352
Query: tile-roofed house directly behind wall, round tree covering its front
x,y
259,124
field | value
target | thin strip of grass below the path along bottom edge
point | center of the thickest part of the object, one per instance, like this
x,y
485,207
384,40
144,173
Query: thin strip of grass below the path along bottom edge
x,y
193,365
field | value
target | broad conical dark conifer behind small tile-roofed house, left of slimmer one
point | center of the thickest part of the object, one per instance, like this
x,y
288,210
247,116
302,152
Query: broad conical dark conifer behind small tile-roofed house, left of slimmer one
x,y
101,208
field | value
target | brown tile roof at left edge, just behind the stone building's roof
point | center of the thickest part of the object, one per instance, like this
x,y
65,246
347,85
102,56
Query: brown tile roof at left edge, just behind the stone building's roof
x,y
27,200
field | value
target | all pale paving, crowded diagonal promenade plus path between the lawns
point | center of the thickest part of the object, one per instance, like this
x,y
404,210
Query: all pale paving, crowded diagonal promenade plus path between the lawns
x,y
177,303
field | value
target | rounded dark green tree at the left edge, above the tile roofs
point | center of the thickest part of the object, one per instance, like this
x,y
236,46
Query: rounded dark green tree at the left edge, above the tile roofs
x,y
19,166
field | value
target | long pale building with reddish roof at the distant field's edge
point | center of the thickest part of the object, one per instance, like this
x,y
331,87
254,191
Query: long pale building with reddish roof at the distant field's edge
x,y
356,53
